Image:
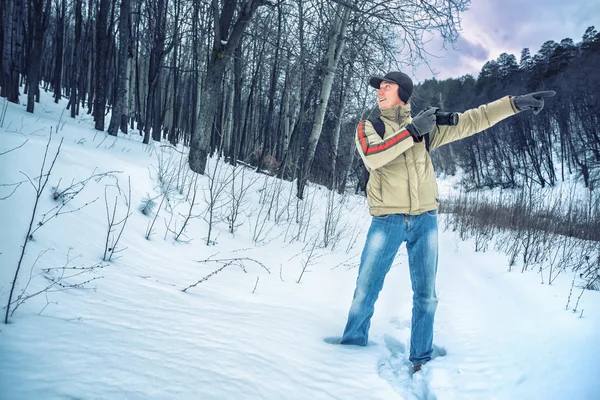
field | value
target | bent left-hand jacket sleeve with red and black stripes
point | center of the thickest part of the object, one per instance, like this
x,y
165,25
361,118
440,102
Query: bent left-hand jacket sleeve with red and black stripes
x,y
375,151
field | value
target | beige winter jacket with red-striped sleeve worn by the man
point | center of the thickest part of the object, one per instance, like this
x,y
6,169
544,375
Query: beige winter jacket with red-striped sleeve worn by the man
x,y
402,180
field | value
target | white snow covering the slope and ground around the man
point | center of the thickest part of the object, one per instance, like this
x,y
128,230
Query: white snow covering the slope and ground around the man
x,y
134,334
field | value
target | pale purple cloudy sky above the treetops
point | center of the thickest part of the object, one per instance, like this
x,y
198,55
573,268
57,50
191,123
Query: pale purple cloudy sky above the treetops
x,y
493,27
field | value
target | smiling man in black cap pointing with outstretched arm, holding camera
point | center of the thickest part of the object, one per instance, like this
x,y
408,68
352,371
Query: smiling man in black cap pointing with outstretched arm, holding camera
x,y
402,197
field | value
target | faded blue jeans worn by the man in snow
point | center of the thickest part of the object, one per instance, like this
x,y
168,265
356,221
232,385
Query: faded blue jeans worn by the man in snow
x,y
385,236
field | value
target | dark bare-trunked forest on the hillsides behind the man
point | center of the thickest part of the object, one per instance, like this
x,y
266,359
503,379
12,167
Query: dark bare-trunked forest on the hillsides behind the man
x,y
281,85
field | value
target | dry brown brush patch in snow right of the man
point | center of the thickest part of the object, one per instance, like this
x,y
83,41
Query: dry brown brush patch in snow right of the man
x,y
540,234
